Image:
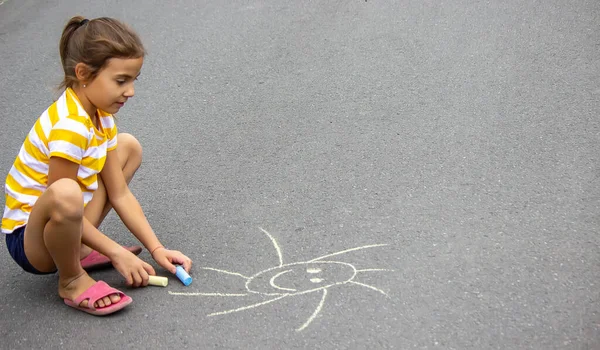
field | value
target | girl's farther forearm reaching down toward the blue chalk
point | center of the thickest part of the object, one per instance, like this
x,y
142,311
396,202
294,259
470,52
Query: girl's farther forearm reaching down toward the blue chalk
x,y
130,212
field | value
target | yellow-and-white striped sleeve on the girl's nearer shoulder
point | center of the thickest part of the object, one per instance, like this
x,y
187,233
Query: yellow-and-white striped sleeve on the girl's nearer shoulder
x,y
68,139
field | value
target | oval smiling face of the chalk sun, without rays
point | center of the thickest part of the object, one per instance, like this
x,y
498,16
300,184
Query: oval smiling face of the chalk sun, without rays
x,y
300,278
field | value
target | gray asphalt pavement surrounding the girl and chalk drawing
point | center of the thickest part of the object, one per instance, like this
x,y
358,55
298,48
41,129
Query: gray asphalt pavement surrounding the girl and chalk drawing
x,y
462,134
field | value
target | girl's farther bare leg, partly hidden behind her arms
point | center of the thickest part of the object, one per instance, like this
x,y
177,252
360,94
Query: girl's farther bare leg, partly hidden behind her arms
x,y
129,151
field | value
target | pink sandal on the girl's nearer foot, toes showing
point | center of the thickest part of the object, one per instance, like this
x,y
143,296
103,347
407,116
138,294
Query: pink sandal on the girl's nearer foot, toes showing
x,y
96,292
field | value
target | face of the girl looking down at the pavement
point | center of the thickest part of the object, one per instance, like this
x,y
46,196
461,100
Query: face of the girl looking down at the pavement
x,y
113,86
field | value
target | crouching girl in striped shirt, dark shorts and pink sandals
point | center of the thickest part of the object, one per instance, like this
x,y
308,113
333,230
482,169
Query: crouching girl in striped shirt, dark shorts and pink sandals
x,y
74,167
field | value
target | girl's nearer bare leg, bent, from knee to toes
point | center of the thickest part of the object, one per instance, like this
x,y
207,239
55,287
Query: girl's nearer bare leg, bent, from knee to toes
x,y
53,239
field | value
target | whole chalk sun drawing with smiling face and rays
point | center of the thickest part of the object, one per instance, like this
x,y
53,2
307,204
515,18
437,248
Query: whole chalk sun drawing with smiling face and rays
x,y
293,279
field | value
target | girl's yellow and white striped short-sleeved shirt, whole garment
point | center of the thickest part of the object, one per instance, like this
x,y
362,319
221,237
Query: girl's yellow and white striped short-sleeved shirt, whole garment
x,y
64,130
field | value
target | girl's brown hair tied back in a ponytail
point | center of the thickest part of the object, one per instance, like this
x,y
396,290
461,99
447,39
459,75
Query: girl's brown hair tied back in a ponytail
x,y
93,42
